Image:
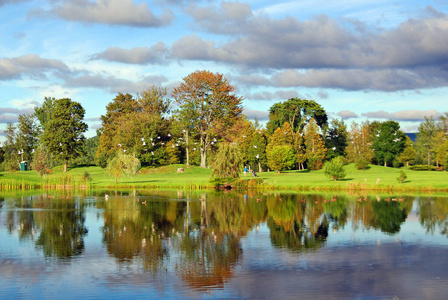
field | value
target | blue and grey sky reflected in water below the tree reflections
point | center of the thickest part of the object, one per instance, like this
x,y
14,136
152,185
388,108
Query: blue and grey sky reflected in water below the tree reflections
x,y
351,264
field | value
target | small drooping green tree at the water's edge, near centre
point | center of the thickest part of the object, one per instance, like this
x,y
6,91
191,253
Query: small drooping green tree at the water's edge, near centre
x,y
228,162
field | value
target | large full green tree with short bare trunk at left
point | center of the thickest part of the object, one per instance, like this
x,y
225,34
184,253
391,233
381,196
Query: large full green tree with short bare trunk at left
x,y
64,133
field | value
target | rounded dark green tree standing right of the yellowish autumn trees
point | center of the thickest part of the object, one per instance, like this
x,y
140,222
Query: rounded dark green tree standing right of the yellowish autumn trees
x,y
389,142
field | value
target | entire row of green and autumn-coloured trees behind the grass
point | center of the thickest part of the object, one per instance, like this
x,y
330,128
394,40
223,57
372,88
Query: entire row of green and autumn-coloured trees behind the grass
x,y
201,123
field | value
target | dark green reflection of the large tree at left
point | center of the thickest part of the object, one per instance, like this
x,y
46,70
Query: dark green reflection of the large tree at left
x,y
62,229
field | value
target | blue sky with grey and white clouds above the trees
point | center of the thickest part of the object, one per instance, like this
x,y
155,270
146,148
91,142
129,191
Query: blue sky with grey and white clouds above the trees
x,y
360,60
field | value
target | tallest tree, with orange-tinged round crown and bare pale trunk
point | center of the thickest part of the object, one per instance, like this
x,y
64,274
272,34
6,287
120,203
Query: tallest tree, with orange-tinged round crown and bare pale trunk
x,y
207,100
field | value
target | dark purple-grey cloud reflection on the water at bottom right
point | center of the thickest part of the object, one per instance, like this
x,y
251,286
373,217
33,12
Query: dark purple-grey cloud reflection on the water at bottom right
x,y
348,273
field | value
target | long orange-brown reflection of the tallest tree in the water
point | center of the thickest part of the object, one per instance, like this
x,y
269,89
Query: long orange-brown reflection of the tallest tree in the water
x,y
209,255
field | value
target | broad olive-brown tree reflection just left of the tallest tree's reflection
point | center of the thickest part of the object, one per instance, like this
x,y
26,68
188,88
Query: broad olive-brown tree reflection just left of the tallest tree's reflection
x,y
133,230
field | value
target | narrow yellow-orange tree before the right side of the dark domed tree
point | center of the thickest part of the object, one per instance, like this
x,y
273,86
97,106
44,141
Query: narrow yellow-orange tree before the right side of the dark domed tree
x,y
315,146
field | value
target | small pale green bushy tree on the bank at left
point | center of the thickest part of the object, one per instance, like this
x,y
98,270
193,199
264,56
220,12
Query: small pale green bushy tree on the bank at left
x,y
123,165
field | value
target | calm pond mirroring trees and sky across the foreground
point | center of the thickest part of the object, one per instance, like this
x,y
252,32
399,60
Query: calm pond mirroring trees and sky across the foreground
x,y
206,244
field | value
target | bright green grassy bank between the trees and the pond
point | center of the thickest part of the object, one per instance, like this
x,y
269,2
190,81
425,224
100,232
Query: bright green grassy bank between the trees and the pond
x,y
375,178
